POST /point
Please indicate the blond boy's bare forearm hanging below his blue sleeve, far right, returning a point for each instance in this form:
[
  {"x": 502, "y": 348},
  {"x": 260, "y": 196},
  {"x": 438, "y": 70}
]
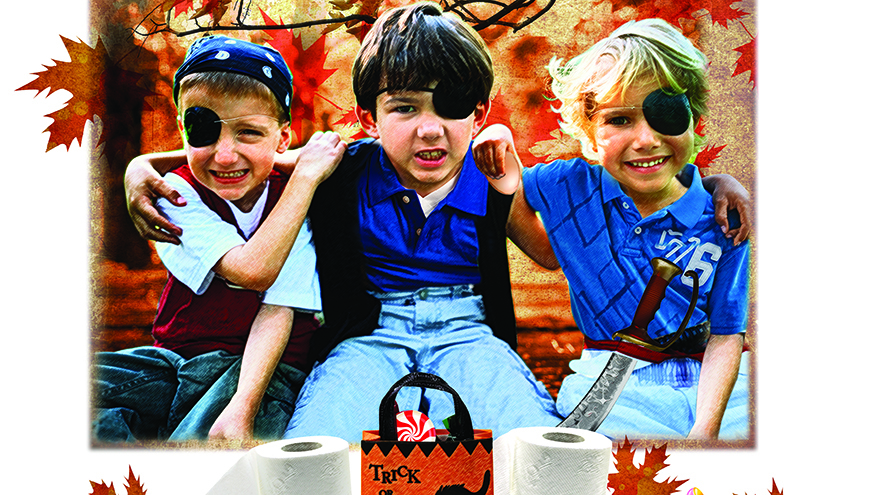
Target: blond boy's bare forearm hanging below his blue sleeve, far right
[{"x": 717, "y": 378}]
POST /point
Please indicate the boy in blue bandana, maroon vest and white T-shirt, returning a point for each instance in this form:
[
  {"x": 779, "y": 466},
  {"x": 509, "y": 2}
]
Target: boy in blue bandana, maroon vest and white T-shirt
[{"x": 237, "y": 313}]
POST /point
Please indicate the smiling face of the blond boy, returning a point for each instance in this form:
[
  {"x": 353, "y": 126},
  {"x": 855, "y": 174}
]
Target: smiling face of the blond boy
[{"x": 641, "y": 159}]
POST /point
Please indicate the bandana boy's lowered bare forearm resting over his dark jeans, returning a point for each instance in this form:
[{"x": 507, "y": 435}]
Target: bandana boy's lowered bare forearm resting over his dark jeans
[{"x": 265, "y": 345}]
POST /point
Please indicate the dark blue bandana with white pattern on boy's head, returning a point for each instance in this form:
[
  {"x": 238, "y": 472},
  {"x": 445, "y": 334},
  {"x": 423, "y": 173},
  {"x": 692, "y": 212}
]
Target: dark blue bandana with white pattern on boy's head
[{"x": 224, "y": 54}]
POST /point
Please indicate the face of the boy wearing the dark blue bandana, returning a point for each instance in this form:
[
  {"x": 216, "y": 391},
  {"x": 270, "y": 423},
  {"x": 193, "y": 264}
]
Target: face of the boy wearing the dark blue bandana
[{"x": 236, "y": 165}]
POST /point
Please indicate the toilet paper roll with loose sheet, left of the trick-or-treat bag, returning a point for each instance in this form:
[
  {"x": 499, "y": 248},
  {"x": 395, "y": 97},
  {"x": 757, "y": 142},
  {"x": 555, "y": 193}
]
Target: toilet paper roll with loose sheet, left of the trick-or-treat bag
[{"x": 302, "y": 466}]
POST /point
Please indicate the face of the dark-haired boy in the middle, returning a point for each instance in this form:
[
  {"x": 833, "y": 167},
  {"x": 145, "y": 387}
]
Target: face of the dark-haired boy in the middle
[{"x": 426, "y": 150}]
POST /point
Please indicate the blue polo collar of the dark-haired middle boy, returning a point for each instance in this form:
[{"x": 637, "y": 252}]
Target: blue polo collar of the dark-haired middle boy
[{"x": 469, "y": 194}]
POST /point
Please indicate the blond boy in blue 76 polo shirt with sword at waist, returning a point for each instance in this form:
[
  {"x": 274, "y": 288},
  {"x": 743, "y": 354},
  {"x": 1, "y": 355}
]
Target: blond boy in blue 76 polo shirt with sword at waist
[{"x": 633, "y": 100}]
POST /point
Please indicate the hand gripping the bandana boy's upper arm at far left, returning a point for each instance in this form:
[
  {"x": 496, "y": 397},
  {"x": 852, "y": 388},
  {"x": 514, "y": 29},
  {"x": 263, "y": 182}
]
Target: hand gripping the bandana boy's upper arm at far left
[{"x": 143, "y": 186}]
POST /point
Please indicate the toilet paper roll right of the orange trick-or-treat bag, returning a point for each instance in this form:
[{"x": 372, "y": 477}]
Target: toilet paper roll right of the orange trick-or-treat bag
[{"x": 543, "y": 460}]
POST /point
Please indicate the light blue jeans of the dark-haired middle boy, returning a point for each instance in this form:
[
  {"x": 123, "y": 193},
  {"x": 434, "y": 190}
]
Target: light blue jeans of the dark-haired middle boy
[{"x": 433, "y": 330}]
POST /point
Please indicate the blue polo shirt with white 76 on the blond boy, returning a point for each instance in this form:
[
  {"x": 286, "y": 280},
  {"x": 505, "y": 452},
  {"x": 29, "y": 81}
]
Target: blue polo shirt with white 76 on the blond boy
[{"x": 604, "y": 247}]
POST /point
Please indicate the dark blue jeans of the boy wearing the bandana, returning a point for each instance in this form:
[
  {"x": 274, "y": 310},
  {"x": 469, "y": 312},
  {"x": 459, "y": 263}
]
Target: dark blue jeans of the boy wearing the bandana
[{"x": 150, "y": 393}]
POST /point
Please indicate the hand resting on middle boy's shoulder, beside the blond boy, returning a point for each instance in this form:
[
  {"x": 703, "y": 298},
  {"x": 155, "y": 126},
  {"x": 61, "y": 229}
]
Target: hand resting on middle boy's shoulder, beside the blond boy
[{"x": 496, "y": 157}]
